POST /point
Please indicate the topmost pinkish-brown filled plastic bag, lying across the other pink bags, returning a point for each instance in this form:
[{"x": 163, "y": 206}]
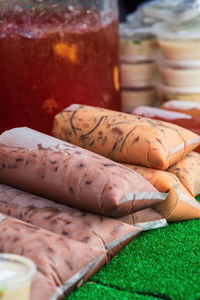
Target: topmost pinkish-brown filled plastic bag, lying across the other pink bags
[{"x": 54, "y": 169}]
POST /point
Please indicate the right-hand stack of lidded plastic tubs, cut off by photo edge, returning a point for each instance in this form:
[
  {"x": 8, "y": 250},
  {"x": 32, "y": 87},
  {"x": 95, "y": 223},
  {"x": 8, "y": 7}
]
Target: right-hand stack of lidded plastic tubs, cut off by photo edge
[{"x": 179, "y": 64}]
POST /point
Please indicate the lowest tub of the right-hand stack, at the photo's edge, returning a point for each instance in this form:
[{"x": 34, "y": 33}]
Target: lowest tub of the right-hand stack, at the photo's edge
[{"x": 166, "y": 93}]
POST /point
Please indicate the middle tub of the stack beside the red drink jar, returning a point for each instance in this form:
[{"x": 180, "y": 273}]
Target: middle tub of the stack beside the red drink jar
[{"x": 137, "y": 74}]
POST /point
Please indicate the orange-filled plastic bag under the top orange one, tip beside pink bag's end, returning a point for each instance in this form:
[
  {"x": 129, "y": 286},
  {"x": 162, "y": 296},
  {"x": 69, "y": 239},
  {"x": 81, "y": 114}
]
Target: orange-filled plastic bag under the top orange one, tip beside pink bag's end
[{"x": 180, "y": 204}]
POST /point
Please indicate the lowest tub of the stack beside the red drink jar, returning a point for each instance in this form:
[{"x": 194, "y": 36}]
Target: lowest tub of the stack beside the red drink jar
[{"x": 131, "y": 98}]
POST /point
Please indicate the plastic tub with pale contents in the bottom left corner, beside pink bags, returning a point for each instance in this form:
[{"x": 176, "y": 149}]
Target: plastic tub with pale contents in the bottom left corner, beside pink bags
[{"x": 16, "y": 275}]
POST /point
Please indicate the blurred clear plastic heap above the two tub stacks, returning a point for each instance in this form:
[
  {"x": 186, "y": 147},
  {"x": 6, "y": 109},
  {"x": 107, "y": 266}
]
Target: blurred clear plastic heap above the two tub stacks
[{"x": 177, "y": 11}]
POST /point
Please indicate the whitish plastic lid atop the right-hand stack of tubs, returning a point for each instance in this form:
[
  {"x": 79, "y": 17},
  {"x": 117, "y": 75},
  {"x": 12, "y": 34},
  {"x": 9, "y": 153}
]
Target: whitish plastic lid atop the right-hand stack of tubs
[{"x": 171, "y": 31}]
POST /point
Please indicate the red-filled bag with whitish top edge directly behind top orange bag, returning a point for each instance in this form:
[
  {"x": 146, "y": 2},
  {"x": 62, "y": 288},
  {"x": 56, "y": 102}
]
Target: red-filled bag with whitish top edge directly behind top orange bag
[{"x": 181, "y": 119}]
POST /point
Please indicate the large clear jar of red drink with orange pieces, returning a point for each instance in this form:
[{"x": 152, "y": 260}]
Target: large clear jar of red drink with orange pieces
[{"x": 53, "y": 54}]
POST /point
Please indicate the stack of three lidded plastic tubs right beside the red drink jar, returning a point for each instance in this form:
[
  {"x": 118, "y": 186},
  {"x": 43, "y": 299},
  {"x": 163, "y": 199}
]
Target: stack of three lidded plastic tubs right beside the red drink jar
[{"x": 137, "y": 67}]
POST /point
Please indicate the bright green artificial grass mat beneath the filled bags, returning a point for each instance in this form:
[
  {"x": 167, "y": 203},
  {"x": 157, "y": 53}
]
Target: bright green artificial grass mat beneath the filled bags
[{"x": 159, "y": 264}]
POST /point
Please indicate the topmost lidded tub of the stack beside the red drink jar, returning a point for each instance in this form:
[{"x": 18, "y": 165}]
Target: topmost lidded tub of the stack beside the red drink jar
[{"x": 136, "y": 44}]
